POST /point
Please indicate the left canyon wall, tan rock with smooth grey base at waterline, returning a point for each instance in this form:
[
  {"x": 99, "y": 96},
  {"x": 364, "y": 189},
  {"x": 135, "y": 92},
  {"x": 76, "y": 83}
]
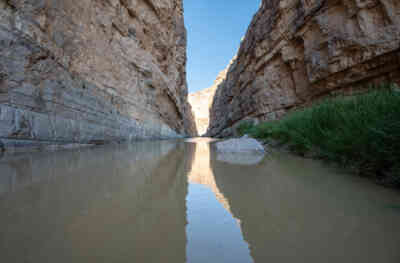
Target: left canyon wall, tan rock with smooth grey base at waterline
[{"x": 93, "y": 70}]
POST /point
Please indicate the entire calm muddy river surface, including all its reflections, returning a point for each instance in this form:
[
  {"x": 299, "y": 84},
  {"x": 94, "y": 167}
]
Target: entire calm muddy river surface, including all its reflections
[{"x": 175, "y": 201}]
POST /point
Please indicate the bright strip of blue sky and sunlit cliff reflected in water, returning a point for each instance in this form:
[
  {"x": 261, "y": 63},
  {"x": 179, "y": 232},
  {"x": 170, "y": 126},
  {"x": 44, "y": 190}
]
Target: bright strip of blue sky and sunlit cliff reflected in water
[{"x": 213, "y": 234}]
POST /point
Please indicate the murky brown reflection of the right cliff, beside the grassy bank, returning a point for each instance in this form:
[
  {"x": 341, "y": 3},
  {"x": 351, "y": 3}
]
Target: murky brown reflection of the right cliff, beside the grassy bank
[{"x": 297, "y": 210}]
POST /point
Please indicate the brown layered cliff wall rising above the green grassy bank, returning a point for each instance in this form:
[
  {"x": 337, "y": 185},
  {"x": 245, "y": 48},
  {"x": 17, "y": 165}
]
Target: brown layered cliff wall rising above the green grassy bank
[{"x": 296, "y": 51}]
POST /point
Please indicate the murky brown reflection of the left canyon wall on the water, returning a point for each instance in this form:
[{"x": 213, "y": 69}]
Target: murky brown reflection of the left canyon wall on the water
[{"x": 115, "y": 204}]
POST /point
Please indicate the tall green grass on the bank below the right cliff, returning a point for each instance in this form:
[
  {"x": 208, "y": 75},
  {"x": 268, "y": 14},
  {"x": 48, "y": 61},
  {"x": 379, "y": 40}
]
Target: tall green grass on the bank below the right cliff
[{"x": 361, "y": 131}]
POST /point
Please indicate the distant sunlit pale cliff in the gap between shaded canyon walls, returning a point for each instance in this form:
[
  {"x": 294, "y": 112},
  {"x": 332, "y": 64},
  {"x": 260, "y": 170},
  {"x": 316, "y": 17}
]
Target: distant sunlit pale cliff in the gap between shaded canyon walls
[{"x": 201, "y": 102}]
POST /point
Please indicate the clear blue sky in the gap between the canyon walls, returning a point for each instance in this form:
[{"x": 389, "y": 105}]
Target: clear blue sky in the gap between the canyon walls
[{"x": 215, "y": 28}]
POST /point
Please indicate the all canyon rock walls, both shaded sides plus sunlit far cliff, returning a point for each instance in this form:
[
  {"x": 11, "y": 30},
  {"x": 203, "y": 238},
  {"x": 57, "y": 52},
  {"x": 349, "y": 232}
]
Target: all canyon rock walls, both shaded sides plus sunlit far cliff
[{"x": 98, "y": 71}]
